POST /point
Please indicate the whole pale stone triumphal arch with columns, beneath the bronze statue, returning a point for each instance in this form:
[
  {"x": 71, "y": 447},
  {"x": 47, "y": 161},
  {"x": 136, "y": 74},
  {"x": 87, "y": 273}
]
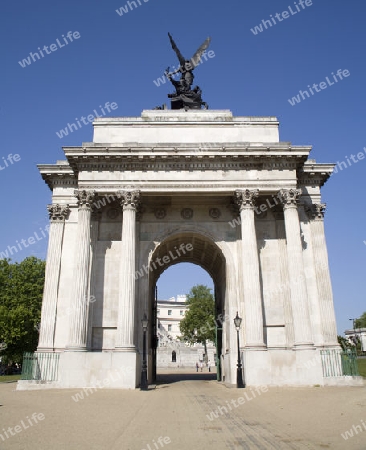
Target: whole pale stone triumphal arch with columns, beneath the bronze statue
[{"x": 198, "y": 186}]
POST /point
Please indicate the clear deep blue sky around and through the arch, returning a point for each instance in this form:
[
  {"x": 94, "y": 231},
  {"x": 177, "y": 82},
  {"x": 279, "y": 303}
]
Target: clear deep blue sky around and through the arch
[{"x": 117, "y": 58}]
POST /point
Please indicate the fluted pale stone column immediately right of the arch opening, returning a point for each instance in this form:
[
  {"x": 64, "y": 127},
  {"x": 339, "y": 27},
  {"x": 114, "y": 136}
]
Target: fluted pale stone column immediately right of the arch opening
[{"x": 250, "y": 271}]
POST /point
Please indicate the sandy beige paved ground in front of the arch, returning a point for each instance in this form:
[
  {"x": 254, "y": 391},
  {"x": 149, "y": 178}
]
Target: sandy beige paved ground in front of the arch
[{"x": 180, "y": 413}]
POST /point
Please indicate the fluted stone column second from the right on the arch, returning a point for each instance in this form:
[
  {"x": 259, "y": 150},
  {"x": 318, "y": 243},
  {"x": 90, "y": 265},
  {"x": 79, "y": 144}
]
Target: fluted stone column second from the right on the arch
[{"x": 299, "y": 297}]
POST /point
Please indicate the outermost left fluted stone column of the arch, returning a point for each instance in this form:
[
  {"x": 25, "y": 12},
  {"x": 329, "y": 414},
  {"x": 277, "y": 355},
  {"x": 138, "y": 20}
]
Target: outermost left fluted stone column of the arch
[{"x": 58, "y": 214}]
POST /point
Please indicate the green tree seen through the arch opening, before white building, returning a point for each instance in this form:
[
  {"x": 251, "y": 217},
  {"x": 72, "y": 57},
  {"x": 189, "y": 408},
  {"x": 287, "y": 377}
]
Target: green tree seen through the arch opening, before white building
[{"x": 198, "y": 324}]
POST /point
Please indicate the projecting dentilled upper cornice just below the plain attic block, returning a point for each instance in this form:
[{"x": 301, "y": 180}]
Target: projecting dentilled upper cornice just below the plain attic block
[{"x": 187, "y": 157}]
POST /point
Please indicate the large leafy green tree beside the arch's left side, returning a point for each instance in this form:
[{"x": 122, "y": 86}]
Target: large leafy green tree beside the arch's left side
[{"x": 21, "y": 290}]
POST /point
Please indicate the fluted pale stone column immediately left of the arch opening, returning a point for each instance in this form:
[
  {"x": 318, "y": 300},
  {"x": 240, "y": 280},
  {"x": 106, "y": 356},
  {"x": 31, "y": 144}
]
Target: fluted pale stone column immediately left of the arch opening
[{"x": 130, "y": 201}]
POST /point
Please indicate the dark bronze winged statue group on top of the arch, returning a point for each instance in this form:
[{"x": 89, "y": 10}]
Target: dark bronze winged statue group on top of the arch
[{"x": 186, "y": 97}]
